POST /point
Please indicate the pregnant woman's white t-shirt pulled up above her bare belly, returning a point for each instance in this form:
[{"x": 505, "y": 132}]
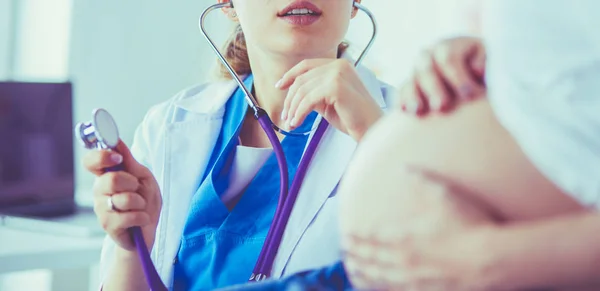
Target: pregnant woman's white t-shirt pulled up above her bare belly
[{"x": 544, "y": 84}]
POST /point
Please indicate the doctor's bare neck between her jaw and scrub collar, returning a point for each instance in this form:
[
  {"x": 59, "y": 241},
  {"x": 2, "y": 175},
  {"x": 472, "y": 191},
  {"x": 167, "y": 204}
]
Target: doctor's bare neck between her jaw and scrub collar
[{"x": 267, "y": 69}]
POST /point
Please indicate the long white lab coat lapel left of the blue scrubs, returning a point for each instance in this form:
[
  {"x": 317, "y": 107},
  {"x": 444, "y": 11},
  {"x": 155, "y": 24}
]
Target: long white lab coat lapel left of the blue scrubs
[{"x": 189, "y": 141}]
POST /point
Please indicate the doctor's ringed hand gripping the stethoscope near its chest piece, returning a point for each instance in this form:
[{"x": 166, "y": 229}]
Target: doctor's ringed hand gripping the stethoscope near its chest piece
[{"x": 126, "y": 198}]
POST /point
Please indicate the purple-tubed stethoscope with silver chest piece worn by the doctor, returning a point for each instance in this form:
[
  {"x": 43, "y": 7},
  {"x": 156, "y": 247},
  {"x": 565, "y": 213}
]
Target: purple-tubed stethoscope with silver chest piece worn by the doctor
[{"x": 101, "y": 132}]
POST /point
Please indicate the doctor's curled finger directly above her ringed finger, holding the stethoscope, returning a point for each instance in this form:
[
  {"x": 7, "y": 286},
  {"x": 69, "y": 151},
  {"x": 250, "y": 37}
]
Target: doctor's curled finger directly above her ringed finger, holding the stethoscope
[{"x": 115, "y": 182}]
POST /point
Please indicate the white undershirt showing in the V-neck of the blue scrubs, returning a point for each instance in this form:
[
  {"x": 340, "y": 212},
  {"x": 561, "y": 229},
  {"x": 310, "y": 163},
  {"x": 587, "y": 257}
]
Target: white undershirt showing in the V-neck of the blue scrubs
[{"x": 246, "y": 164}]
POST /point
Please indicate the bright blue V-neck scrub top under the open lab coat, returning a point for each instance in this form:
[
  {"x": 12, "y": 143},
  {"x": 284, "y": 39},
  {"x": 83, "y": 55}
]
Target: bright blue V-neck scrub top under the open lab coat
[{"x": 220, "y": 247}]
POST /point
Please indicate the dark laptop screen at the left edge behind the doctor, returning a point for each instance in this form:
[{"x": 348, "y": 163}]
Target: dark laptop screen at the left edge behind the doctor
[{"x": 36, "y": 144}]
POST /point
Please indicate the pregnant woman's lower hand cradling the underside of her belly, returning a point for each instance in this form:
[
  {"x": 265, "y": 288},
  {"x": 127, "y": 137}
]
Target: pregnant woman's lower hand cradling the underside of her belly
[{"x": 436, "y": 240}]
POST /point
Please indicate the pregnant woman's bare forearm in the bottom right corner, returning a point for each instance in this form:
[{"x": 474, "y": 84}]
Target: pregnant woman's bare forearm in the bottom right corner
[{"x": 556, "y": 252}]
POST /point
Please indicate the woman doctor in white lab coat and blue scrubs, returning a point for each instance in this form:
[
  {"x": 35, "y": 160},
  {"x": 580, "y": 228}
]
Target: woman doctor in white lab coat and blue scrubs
[{"x": 201, "y": 179}]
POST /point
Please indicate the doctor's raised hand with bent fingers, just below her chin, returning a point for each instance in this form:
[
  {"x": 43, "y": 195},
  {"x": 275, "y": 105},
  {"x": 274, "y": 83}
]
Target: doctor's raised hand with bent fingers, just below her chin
[{"x": 332, "y": 88}]
